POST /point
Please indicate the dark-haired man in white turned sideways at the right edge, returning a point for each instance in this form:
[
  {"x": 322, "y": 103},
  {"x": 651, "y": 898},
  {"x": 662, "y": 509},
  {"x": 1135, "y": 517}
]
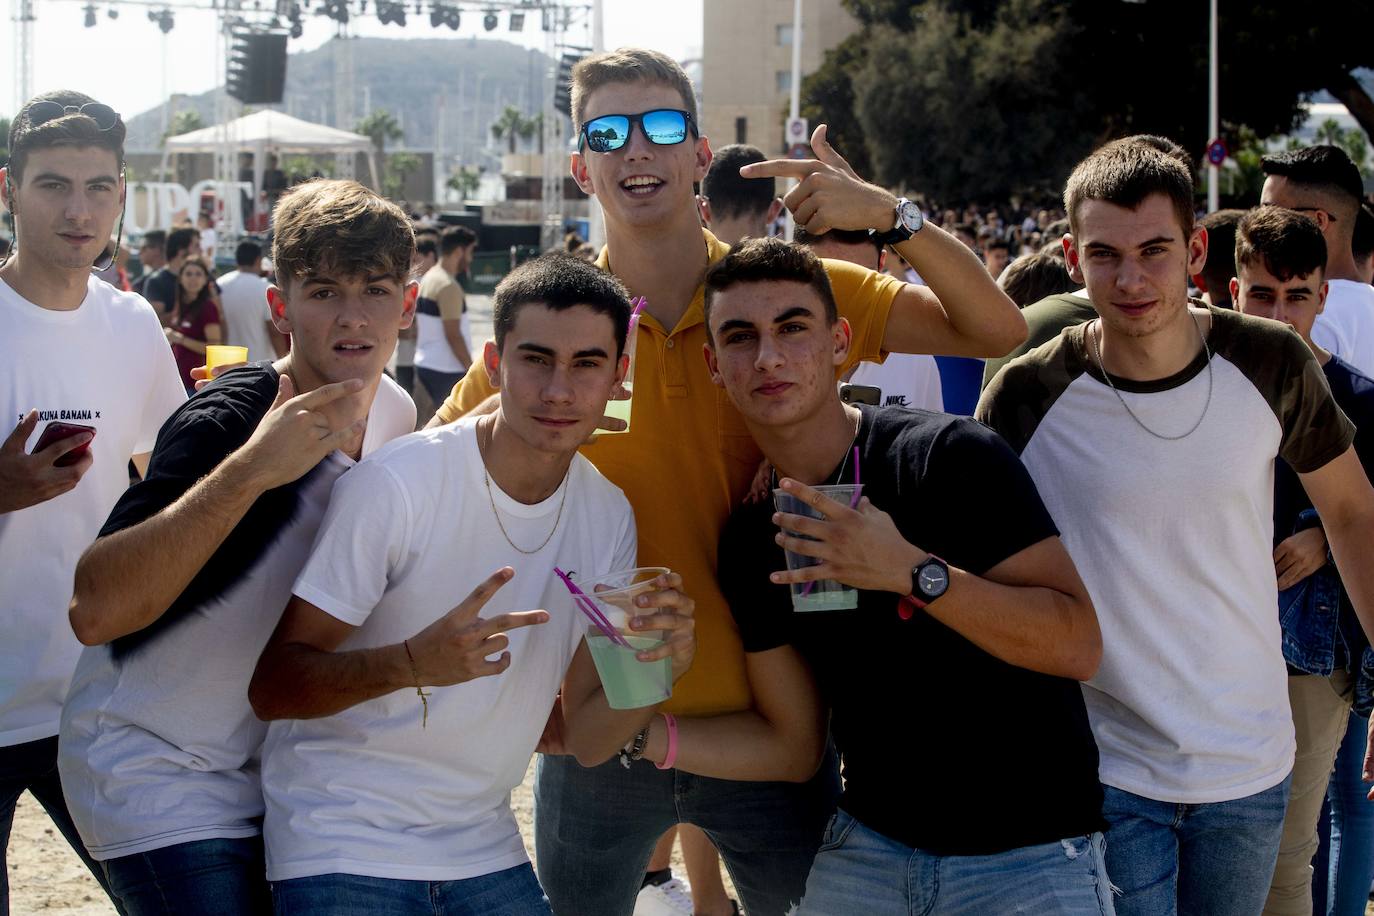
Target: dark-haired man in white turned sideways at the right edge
[{"x": 1324, "y": 183}]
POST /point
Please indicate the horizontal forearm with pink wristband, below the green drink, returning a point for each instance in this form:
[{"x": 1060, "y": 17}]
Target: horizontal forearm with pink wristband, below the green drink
[{"x": 739, "y": 746}]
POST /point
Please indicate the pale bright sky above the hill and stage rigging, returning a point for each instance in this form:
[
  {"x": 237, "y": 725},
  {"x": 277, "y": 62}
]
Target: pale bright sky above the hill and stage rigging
[{"x": 122, "y": 61}]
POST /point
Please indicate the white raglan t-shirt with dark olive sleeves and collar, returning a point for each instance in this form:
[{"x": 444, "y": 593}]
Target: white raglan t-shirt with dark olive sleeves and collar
[{"x": 1174, "y": 540}]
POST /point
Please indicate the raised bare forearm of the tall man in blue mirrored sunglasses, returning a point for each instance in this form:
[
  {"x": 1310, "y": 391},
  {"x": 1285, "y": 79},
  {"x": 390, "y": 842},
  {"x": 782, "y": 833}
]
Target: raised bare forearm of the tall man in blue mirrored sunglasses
[{"x": 982, "y": 317}]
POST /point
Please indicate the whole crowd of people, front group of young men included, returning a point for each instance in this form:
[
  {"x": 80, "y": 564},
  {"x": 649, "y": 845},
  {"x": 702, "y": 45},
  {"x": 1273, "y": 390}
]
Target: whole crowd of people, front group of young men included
[{"x": 1133, "y": 588}]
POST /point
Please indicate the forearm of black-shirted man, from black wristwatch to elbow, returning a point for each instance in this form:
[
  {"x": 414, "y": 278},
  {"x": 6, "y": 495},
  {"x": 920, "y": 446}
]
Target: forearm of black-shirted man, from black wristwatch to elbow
[{"x": 1031, "y": 627}]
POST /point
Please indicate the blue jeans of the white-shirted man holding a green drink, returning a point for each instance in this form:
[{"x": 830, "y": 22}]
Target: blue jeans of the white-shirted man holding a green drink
[{"x": 508, "y": 893}]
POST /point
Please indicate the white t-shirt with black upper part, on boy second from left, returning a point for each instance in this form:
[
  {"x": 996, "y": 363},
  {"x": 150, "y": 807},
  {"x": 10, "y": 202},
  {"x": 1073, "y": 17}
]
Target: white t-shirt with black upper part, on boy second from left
[{"x": 159, "y": 742}]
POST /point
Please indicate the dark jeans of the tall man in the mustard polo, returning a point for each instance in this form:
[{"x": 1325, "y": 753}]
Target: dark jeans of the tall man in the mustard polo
[{"x": 597, "y": 827}]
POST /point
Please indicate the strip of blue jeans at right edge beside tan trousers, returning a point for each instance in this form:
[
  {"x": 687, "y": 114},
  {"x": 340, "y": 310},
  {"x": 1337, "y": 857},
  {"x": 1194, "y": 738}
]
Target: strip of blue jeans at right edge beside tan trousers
[{"x": 1353, "y": 827}]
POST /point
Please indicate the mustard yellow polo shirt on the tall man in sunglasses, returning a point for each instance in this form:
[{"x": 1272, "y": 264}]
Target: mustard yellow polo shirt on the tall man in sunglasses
[{"x": 688, "y": 462}]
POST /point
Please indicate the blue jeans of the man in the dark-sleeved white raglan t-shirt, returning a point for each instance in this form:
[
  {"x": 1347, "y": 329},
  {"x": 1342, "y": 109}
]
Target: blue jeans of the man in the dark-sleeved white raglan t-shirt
[{"x": 1210, "y": 860}]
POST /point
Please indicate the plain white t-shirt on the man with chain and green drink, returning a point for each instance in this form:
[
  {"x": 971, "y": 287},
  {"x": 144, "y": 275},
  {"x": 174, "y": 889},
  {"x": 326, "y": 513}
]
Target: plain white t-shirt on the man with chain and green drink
[{"x": 409, "y": 535}]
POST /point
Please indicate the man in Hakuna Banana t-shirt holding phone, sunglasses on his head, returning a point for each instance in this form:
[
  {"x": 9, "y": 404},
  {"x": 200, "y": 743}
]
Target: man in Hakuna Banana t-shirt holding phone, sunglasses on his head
[{"x": 86, "y": 370}]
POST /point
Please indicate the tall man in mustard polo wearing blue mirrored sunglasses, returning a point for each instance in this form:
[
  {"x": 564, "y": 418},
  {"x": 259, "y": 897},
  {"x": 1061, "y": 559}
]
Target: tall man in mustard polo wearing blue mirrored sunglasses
[{"x": 689, "y": 461}]
